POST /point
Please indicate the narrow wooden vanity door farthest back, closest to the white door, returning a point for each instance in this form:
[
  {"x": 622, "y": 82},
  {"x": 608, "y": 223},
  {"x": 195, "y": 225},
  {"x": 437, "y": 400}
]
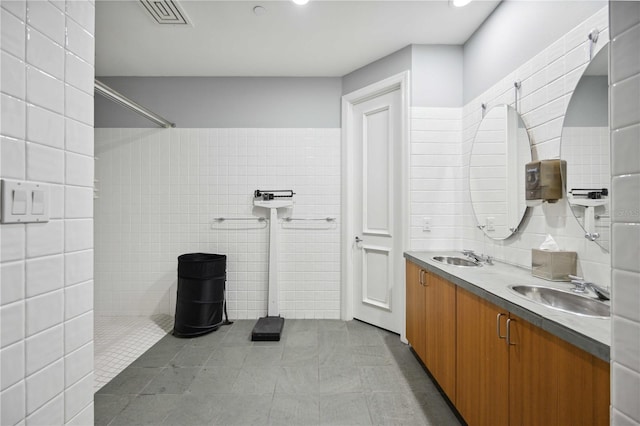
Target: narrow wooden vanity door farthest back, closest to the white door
[{"x": 415, "y": 311}]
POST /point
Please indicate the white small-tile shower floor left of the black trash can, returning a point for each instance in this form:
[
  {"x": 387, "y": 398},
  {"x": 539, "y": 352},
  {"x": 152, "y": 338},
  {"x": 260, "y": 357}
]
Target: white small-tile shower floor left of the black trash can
[{"x": 118, "y": 341}]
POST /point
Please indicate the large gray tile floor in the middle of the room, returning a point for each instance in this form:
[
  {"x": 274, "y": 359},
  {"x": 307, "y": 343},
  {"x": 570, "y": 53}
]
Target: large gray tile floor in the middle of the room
[{"x": 322, "y": 372}]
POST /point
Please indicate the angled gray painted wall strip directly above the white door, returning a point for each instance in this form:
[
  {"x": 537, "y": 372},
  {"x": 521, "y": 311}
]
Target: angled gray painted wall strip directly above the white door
[{"x": 392, "y": 64}]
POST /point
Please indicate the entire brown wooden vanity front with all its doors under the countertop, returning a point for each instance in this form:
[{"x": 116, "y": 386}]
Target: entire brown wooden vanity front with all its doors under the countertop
[{"x": 497, "y": 368}]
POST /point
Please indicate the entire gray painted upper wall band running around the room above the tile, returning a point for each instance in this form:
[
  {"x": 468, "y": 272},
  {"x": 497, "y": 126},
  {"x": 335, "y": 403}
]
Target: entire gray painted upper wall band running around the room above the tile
[{"x": 442, "y": 76}]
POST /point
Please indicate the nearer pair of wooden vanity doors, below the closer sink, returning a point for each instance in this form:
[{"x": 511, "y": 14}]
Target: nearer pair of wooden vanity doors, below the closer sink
[{"x": 533, "y": 378}]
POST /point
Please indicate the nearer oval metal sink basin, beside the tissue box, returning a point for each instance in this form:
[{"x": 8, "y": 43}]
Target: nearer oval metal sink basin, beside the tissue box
[{"x": 563, "y": 300}]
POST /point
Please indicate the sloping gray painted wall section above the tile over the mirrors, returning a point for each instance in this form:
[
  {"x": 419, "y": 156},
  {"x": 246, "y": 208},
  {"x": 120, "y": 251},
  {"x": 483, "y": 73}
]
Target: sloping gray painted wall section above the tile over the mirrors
[{"x": 515, "y": 32}]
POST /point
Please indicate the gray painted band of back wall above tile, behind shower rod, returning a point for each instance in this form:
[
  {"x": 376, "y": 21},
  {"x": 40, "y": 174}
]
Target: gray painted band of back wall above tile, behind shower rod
[{"x": 219, "y": 102}]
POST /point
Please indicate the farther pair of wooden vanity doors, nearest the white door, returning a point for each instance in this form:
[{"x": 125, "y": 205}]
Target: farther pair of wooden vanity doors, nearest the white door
[{"x": 431, "y": 324}]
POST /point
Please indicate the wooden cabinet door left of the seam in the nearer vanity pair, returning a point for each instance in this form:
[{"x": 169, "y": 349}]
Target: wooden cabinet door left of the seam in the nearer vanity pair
[{"x": 482, "y": 379}]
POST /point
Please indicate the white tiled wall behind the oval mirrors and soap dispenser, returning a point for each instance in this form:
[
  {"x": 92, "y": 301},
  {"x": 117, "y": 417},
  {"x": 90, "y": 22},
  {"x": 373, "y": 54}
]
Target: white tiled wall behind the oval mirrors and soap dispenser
[{"x": 548, "y": 81}]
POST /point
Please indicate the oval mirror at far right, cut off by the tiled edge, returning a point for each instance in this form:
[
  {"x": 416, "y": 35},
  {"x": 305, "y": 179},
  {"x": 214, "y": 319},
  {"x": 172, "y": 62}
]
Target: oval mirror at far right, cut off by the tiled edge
[{"x": 585, "y": 148}]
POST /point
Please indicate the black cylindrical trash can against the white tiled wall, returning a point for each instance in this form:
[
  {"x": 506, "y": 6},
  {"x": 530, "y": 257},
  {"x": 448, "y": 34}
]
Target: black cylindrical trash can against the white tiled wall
[{"x": 200, "y": 300}]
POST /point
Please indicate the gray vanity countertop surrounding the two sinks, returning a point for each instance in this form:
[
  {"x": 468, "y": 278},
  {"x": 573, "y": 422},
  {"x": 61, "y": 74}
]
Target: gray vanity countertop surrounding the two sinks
[{"x": 490, "y": 282}]
